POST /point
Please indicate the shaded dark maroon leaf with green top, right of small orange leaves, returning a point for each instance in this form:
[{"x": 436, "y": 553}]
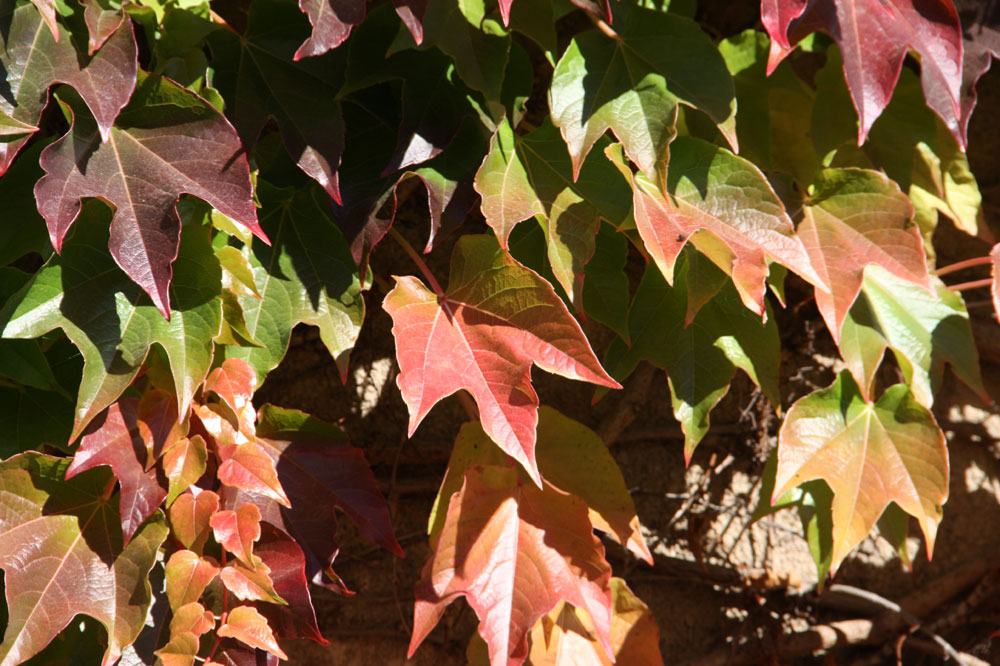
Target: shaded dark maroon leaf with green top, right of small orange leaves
[{"x": 322, "y": 471}]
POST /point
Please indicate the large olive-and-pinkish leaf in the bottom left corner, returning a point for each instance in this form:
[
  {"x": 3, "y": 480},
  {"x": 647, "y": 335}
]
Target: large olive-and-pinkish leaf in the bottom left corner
[{"x": 62, "y": 554}]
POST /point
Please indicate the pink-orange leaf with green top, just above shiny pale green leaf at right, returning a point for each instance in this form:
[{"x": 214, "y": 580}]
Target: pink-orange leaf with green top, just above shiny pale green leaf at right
[{"x": 853, "y": 218}]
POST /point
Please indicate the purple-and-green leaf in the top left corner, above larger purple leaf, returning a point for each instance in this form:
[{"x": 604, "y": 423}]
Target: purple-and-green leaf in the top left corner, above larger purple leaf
[{"x": 34, "y": 57}]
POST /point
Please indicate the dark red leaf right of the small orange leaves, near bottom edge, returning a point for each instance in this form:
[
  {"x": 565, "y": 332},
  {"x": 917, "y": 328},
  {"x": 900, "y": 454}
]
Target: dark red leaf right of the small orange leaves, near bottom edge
[{"x": 288, "y": 572}]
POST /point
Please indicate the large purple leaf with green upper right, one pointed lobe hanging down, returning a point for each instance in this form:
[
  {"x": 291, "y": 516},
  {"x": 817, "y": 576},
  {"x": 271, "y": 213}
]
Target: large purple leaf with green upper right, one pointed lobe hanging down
[{"x": 142, "y": 168}]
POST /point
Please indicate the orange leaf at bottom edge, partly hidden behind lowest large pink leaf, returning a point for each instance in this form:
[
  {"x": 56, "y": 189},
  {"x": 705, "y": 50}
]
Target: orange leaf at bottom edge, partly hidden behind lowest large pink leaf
[{"x": 566, "y": 637}]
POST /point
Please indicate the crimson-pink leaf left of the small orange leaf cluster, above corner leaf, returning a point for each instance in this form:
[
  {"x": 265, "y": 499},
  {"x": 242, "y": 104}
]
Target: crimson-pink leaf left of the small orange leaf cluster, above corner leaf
[{"x": 114, "y": 441}]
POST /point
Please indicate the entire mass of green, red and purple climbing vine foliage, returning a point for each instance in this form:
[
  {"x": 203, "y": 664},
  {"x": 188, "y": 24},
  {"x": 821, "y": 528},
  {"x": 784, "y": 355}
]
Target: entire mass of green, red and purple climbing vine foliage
[{"x": 211, "y": 176}]
